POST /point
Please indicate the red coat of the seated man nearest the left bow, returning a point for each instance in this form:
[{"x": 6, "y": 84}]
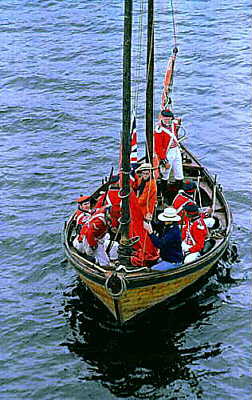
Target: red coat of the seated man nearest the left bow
[{"x": 95, "y": 228}]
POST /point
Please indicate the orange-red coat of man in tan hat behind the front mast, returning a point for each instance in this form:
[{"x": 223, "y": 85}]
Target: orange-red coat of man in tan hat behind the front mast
[{"x": 147, "y": 200}]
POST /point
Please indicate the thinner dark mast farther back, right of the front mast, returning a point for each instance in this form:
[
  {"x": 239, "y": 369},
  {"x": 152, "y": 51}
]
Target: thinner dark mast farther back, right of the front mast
[{"x": 150, "y": 78}]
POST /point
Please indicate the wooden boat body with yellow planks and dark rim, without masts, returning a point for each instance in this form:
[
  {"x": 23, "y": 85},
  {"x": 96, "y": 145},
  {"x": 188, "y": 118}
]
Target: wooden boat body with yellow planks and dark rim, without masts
[{"x": 127, "y": 293}]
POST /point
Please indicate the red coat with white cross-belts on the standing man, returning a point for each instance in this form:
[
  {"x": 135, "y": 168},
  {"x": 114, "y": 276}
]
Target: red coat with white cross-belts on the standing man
[{"x": 163, "y": 137}]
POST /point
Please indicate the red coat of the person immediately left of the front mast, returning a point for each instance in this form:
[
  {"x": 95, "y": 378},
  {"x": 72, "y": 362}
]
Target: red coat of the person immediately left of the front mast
[{"x": 113, "y": 200}]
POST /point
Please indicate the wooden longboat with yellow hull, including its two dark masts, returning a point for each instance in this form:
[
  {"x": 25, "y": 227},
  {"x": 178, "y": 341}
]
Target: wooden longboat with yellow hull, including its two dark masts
[{"x": 128, "y": 291}]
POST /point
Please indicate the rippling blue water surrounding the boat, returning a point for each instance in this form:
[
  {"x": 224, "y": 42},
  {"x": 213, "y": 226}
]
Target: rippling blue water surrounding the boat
[{"x": 60, "y": 110}]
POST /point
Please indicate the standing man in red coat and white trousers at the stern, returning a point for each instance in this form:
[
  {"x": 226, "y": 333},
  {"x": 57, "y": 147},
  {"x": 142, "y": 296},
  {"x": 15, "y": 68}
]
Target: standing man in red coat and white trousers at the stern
[{"x": 167, "y": 148}]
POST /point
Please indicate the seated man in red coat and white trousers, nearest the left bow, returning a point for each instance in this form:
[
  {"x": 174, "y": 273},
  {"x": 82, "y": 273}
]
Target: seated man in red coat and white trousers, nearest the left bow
[{"x": 90, "y": 239}]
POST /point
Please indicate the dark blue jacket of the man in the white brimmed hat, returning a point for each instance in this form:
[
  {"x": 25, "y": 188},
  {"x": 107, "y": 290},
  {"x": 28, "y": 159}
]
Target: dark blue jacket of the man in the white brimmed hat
[{"x": 169, "y": 243}]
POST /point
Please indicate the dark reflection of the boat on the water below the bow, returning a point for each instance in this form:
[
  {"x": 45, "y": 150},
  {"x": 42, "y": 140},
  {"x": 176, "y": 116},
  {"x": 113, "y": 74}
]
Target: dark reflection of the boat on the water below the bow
[{"x": 143, "y": 358}]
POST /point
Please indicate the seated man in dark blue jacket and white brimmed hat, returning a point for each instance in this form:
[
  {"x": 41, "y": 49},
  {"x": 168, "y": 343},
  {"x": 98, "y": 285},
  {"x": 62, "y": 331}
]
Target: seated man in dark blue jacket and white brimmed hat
[{"x": 169, "y": 242}]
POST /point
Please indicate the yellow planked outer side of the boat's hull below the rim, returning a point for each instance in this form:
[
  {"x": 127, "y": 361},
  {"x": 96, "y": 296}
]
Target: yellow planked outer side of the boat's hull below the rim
[{"x": 140, "y": 293}]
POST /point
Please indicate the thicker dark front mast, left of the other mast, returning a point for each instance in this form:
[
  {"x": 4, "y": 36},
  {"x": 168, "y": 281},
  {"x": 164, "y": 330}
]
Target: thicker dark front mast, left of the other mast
[{"x": 125, "y": 139}]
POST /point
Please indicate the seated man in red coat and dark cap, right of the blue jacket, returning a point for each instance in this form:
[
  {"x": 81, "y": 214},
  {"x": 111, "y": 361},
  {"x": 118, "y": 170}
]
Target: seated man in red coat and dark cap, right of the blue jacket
[{"x": 194, "y": 233}]
